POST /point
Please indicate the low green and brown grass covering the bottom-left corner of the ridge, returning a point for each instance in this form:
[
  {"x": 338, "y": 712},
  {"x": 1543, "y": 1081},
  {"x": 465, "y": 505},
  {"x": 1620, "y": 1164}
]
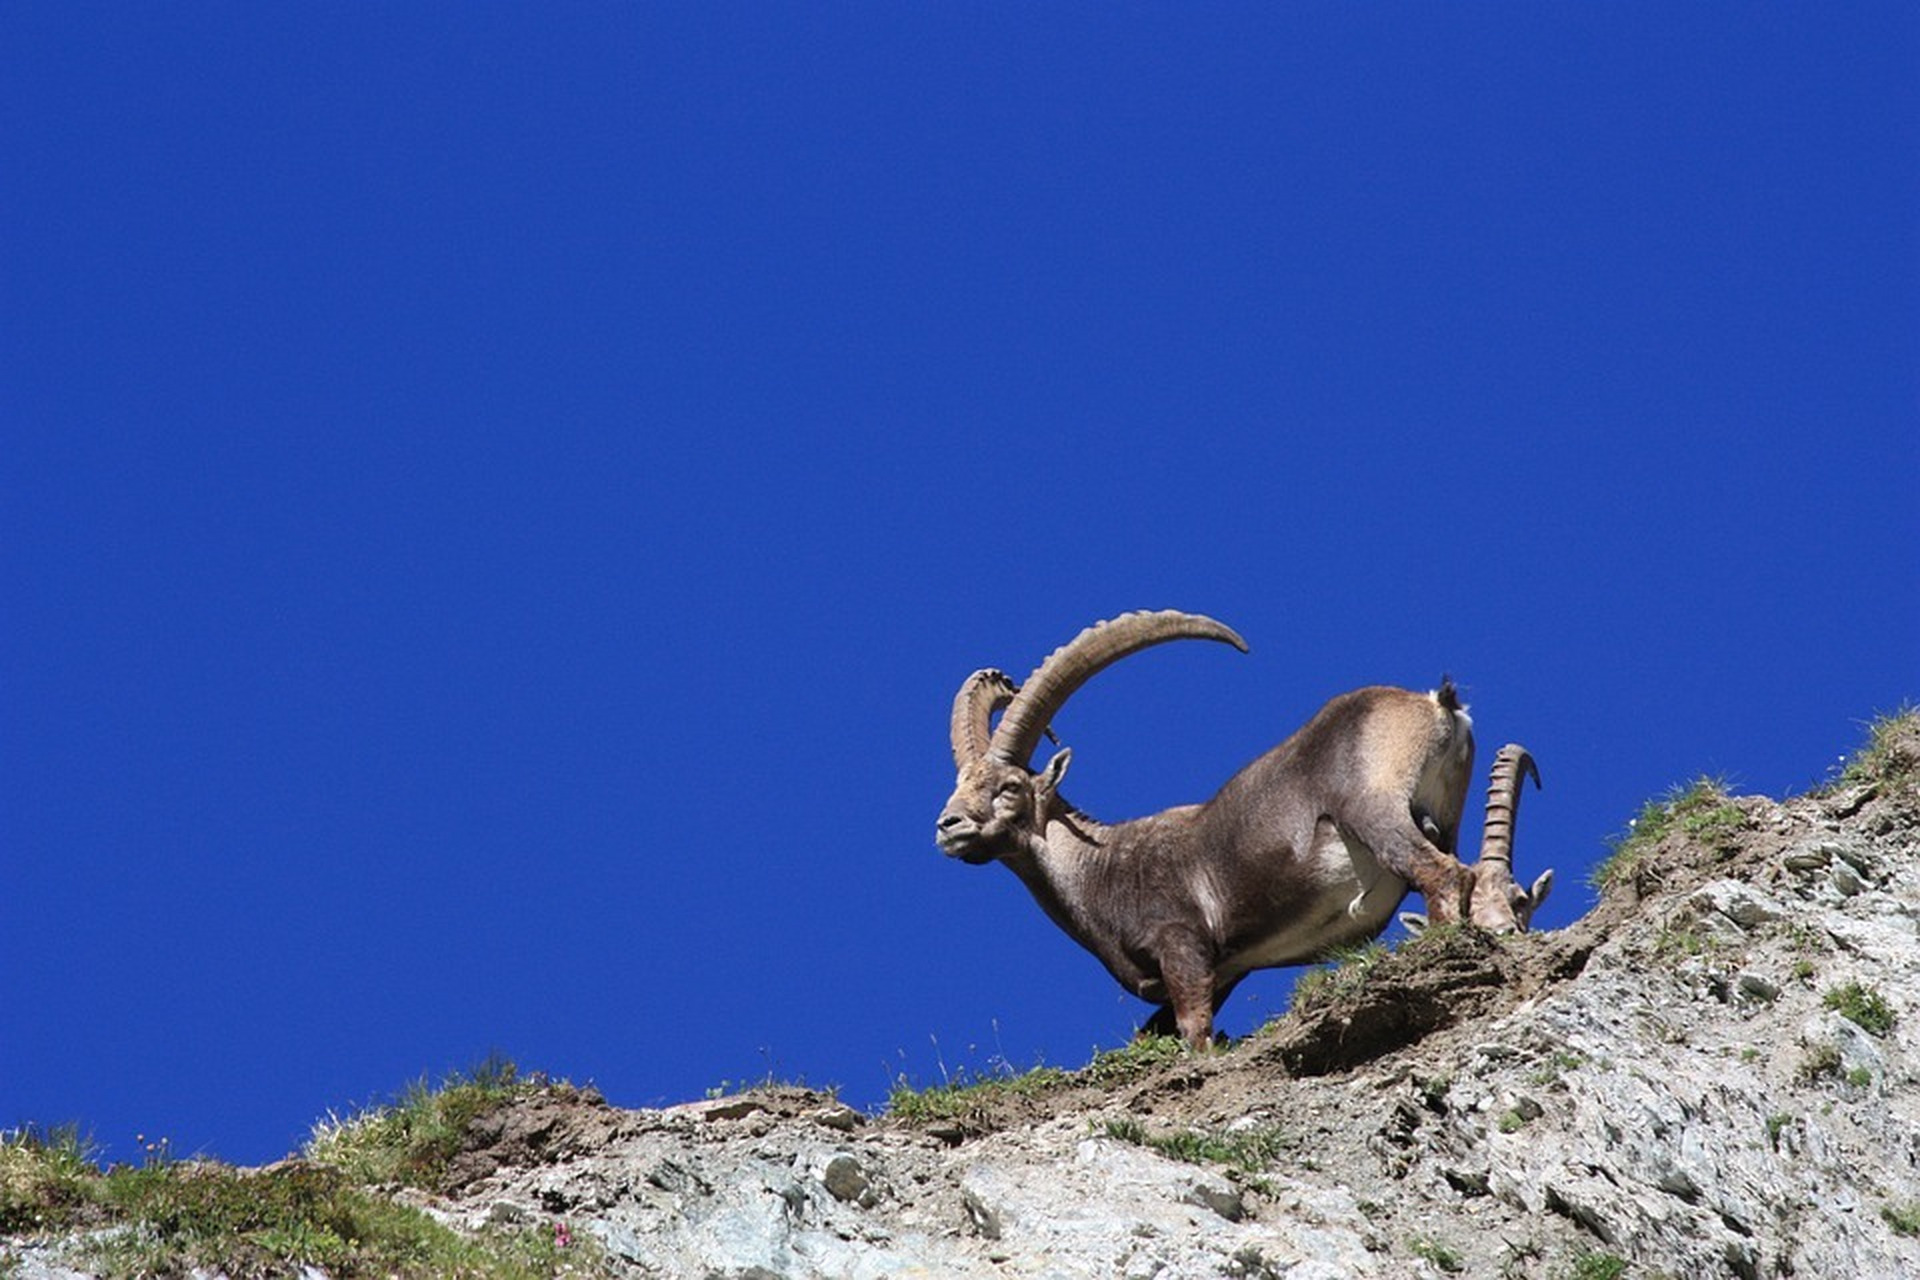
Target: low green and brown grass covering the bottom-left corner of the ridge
[{"x": 176, "y": 1218}]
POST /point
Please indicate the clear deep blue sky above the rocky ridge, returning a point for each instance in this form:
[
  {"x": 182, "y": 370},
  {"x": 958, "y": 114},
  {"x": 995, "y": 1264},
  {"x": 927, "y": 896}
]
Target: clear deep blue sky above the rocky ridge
[{"x": 498, "y": 500}]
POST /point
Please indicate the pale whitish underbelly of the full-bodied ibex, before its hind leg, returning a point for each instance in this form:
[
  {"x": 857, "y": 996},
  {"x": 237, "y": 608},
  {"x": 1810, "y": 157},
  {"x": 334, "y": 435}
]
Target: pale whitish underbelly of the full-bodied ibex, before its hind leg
[{"x": 1351, "y": 899}]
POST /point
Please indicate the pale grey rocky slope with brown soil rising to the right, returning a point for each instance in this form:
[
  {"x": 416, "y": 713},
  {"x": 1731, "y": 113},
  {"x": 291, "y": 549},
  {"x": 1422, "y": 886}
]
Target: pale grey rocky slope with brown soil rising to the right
[{"x": 1710, "y": 1076}]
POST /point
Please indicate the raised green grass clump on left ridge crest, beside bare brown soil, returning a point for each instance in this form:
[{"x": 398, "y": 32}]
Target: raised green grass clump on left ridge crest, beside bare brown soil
[{"x": 414, "y": 1141}]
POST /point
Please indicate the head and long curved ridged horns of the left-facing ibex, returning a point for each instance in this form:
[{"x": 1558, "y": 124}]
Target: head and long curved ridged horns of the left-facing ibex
[{"x": 999, "y": 805}]
